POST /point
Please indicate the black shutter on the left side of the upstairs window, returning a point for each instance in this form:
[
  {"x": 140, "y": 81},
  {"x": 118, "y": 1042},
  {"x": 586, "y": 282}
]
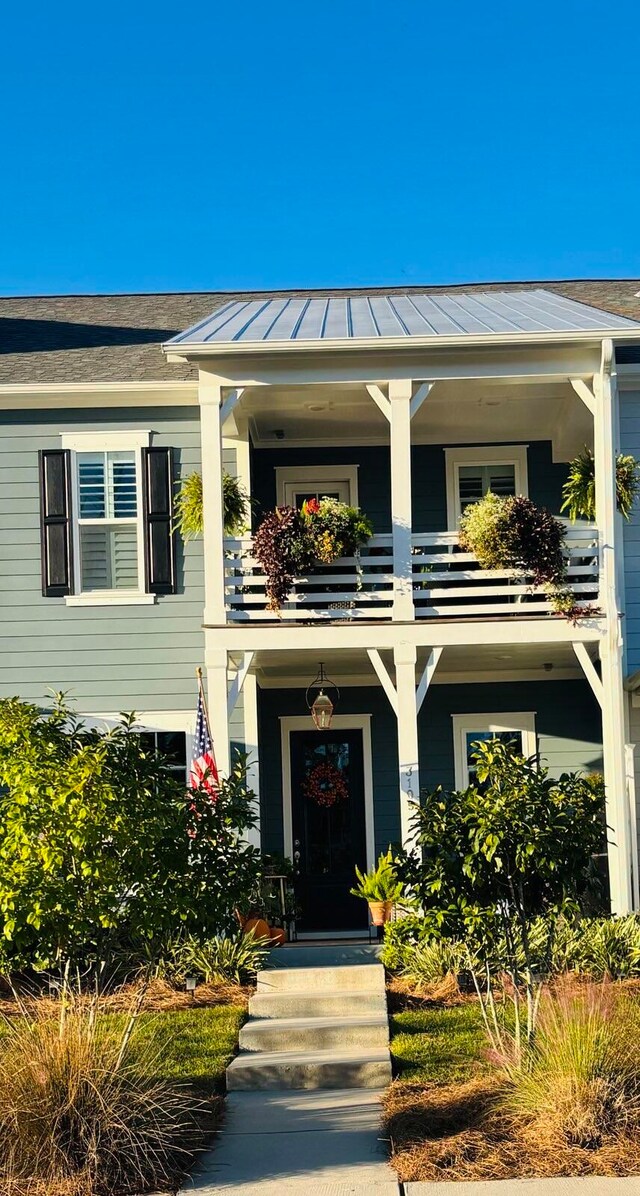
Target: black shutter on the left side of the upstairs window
[{"x": 56, "y": 523}]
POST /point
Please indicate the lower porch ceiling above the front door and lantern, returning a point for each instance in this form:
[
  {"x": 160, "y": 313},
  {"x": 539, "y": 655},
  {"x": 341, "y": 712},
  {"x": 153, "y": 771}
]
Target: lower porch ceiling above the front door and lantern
[{"x": 461, "y": 664}]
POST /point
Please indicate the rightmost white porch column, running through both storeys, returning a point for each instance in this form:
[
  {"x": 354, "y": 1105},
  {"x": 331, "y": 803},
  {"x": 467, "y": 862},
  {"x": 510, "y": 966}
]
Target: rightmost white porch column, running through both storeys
[{"x": 614, "y": 706}]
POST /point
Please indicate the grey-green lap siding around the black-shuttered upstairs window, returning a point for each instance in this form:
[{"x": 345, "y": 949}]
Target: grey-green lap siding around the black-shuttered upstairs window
[{"x": 107, "y": 658}]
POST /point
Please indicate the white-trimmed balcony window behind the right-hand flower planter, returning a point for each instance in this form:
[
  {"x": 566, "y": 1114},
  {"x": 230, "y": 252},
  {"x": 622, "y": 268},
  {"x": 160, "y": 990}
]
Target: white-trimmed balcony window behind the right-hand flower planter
[{"x": 473, "y": 473}]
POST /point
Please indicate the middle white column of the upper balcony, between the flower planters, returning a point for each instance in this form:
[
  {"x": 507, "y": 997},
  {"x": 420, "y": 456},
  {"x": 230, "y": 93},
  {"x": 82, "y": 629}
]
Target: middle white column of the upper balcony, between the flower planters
[{"x": 400, "y": 400}]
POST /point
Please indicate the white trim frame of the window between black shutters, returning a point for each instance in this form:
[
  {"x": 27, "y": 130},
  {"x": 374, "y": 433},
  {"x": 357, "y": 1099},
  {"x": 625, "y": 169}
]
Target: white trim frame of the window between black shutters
[{"x": 108, "y": 442}]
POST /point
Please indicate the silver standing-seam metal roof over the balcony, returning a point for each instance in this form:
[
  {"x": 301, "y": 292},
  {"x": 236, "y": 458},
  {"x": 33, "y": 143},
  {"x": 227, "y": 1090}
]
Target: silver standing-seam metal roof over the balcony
[{"x": 397, "y": 316}]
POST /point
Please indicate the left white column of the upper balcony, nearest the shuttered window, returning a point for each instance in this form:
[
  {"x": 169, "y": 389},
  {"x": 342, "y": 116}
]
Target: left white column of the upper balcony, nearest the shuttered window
[{"x": 212, "y": 498}]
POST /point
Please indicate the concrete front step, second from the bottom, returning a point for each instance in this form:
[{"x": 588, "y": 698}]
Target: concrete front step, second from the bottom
[{"x": 315, "y": 1034}]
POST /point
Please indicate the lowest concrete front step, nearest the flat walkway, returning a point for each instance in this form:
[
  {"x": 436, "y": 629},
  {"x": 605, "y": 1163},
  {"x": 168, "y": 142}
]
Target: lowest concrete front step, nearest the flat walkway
[{"x": 342, "y": 1069}]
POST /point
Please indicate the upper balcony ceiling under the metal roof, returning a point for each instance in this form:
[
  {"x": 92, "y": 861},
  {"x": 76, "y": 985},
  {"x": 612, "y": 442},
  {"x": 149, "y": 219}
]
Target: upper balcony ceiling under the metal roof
[{"x": 456, "y": 412}]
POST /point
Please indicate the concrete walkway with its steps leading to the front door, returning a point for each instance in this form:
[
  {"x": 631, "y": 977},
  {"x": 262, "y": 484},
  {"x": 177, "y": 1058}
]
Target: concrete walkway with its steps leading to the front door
[{"x": 303, "y": 1112}]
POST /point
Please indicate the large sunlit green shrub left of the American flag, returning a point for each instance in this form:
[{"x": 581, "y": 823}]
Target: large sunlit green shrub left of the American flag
[{"x": 101, "y": 843}]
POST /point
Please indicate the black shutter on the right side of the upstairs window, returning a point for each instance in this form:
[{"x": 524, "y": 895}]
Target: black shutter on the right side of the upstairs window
[{"x": 159, "y": 516}]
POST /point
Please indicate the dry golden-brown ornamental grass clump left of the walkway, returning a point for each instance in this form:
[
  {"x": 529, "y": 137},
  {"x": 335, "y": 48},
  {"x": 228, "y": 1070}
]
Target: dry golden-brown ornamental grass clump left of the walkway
[{"x": 84, "y": 1109}]
